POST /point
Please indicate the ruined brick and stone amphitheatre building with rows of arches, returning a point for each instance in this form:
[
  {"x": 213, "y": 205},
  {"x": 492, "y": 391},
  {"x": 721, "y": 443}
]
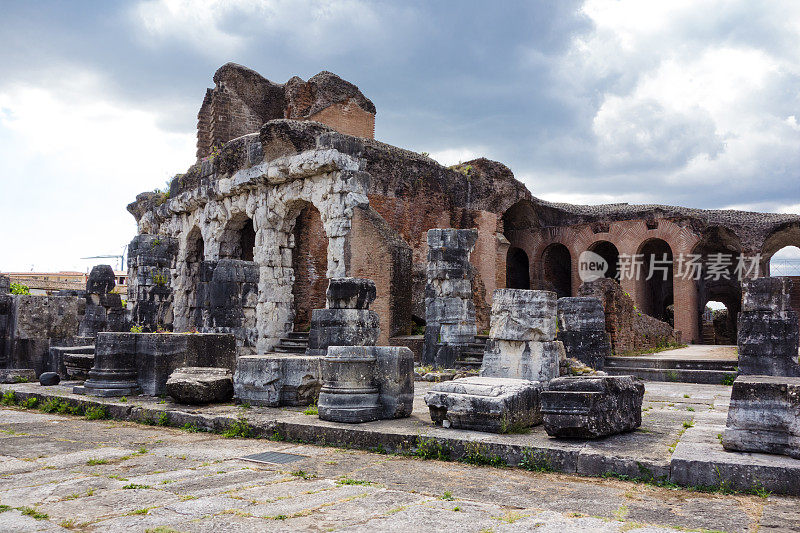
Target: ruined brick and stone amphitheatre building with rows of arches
[{"x": 296, "y": 166}]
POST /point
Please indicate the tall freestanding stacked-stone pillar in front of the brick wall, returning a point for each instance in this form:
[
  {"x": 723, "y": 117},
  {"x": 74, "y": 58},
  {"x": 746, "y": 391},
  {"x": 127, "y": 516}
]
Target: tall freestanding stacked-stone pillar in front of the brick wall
[{"x": 449, "y": 309}]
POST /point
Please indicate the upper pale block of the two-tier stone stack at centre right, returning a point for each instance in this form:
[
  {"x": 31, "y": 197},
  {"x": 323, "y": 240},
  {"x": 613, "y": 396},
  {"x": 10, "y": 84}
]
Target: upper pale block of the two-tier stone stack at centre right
[{"x": 523, "y": 315}]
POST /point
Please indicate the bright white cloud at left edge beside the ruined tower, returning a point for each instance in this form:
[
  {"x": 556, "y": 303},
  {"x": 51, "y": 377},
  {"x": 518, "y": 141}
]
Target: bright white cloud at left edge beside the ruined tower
[{"x": 73, "y": 158}]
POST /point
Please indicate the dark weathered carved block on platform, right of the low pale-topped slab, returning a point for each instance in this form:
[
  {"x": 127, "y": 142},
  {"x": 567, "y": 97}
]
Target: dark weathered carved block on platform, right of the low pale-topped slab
[{"x": 589, "y": 407}]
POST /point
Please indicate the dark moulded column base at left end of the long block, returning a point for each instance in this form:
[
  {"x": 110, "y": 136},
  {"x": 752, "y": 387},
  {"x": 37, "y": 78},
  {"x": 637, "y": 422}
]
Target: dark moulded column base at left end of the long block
[{"x": 114, "y": 371}]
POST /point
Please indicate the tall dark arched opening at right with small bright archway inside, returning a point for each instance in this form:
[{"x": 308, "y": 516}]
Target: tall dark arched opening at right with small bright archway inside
[{"x": 717, "y": 253}]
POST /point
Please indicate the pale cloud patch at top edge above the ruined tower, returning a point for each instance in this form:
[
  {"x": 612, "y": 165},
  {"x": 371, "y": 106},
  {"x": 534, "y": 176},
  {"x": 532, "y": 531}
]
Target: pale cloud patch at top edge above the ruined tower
[{"x": 225, "y": 27}]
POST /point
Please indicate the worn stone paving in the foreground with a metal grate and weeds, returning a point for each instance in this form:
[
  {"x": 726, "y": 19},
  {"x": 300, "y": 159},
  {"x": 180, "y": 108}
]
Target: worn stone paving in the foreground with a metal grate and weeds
[{"x": 119, "y": 476}]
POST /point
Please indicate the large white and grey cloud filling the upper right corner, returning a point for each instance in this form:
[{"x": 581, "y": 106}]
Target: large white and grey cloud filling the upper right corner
[{"x": 684, "y": 90}]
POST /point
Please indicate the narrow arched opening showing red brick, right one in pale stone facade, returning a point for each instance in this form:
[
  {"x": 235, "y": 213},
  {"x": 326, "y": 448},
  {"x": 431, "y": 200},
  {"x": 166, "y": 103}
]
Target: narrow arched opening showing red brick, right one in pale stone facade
[{"x": 310, "y": 265}]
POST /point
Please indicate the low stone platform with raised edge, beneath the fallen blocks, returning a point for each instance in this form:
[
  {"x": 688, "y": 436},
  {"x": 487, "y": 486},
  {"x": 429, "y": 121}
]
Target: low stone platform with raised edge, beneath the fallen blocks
[{"x": 679, "y": 439}]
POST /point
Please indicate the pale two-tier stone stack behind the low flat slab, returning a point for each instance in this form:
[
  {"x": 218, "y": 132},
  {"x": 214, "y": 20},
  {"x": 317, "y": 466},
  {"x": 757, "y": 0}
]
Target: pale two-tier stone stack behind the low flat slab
[{"x": 522, "y": 341}]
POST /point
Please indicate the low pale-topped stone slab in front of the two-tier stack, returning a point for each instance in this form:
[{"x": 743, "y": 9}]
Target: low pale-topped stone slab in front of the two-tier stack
[{"x": 494, "y": 405}]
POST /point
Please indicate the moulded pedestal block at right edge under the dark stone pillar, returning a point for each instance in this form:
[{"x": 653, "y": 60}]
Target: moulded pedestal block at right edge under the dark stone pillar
[{"x": 764, "y": 416}]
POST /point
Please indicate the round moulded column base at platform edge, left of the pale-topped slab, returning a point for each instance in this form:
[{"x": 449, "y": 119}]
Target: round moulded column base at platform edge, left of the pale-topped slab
[{"x": 349, "y": 392}]
